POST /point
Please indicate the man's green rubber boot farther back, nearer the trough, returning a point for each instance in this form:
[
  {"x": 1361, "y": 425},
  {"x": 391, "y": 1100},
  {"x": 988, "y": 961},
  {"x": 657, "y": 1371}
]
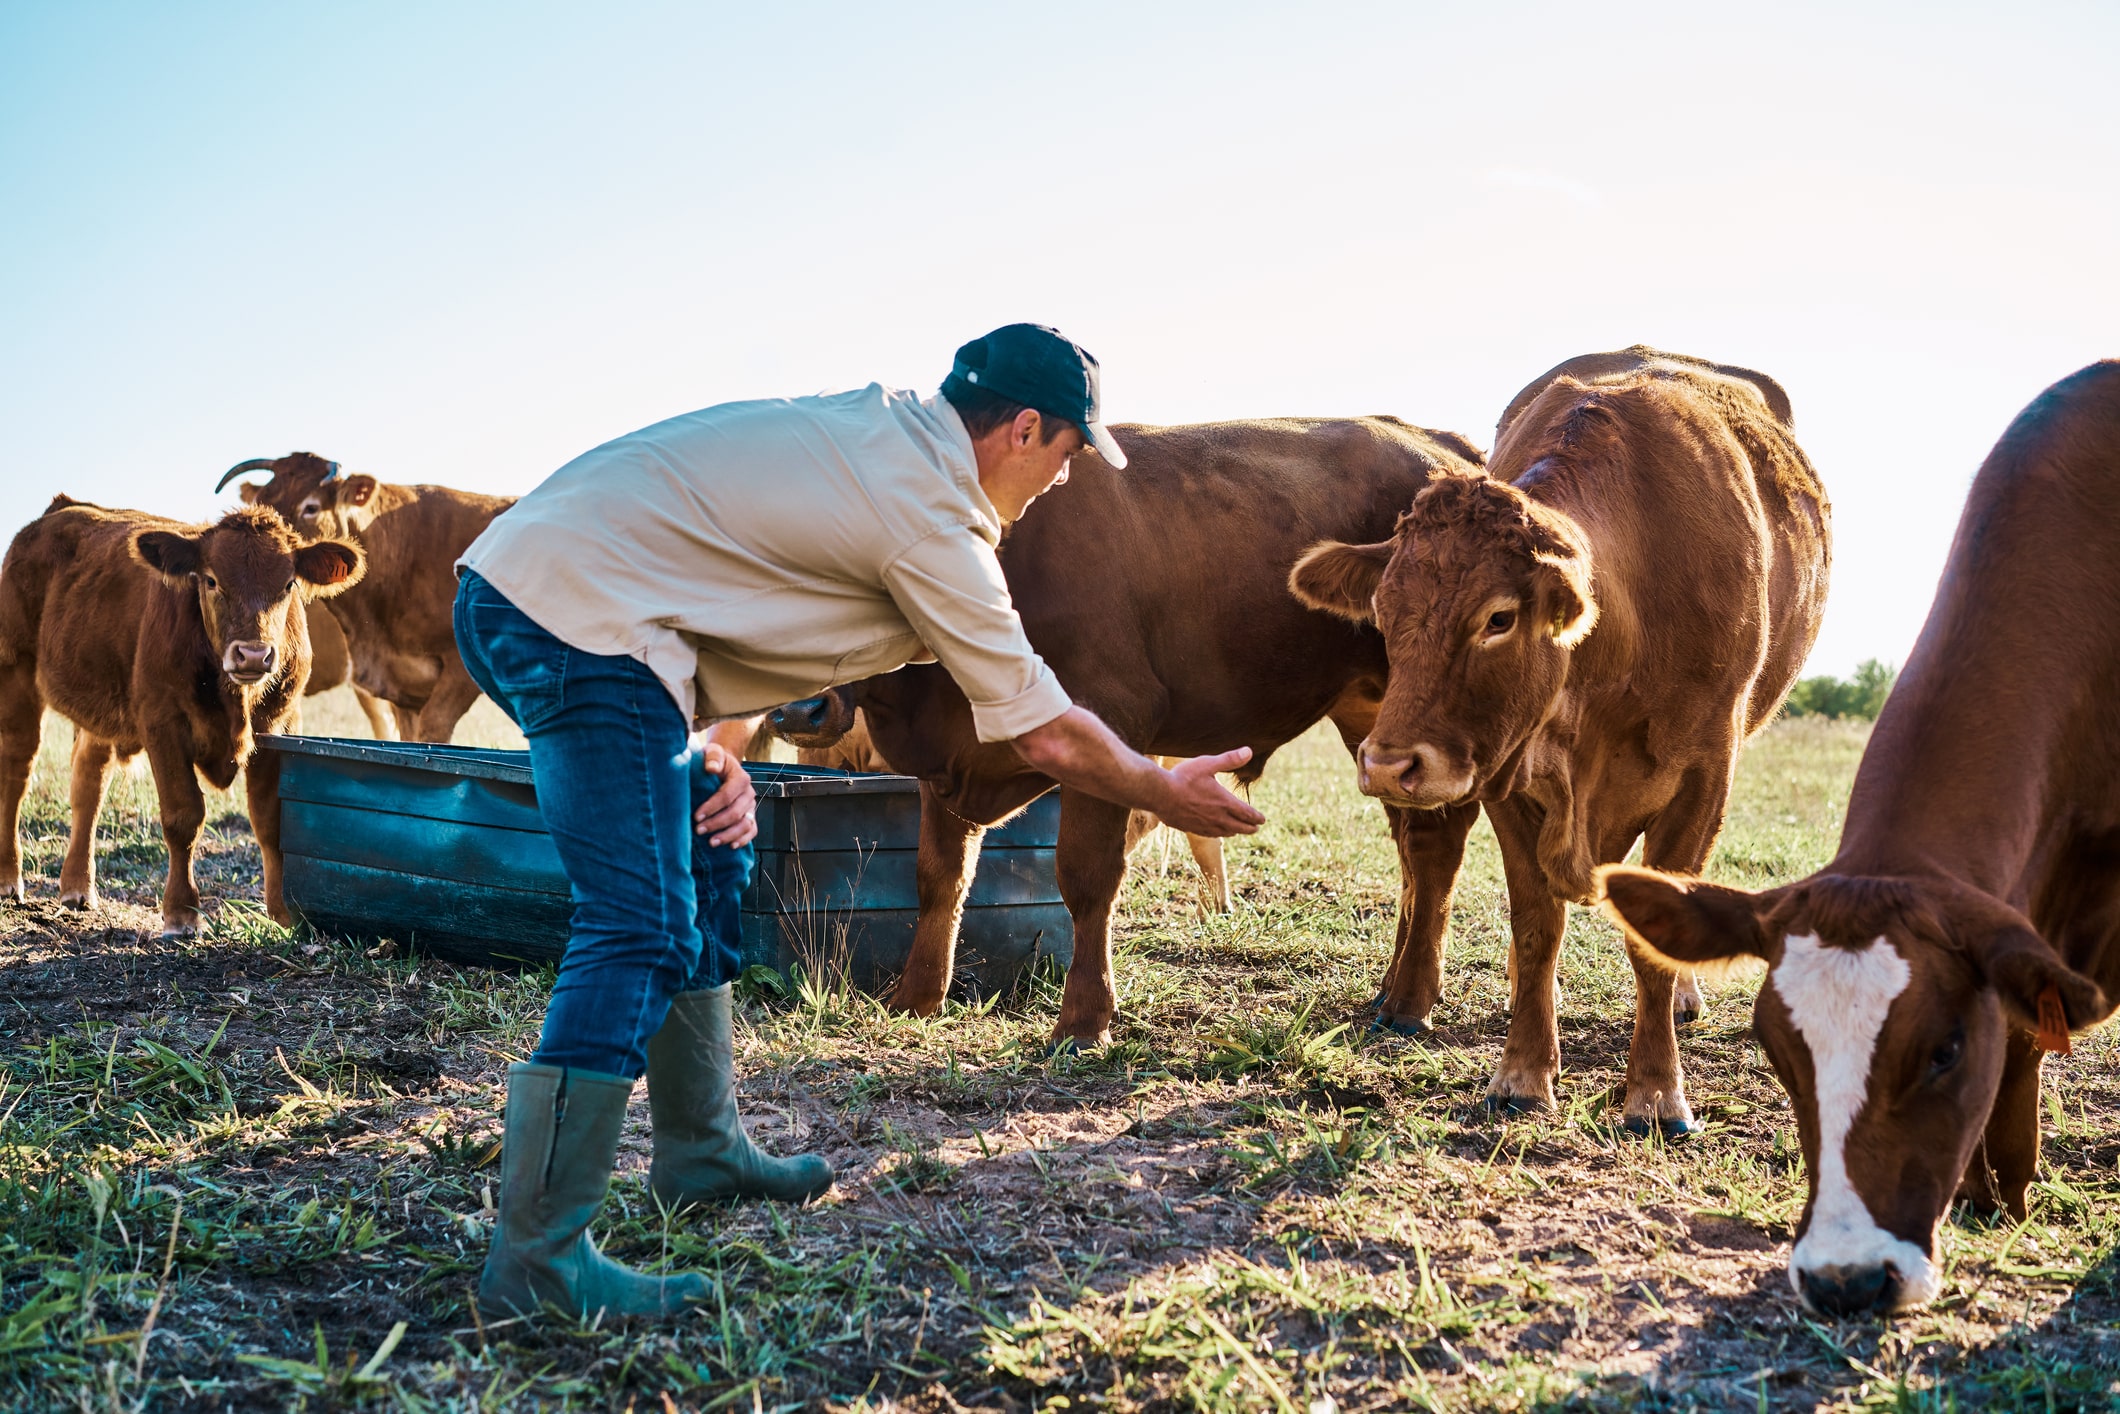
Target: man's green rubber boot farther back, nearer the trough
[{"x": 701, "y": 1148}]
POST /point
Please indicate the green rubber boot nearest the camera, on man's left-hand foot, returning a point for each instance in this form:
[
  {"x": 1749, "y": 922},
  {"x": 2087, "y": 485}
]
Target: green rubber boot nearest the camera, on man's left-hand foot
[{"x": 563, "y": 1137}]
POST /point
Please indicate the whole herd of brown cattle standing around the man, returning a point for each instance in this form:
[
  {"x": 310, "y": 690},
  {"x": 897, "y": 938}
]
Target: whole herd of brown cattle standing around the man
[{"x": 1574, "y": 635}]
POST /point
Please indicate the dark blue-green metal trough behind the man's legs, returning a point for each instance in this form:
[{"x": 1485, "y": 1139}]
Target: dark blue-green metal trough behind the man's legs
[{"x": 444, "y": 849}]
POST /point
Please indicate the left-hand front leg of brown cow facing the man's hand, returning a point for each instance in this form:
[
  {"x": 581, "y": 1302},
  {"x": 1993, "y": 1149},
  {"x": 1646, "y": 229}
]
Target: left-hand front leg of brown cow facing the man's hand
[{"x": 1532, "y": 1055}]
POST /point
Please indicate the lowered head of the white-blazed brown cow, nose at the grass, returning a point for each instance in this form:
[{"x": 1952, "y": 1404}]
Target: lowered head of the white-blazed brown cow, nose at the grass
[{"x": 1892, "y": 1012}]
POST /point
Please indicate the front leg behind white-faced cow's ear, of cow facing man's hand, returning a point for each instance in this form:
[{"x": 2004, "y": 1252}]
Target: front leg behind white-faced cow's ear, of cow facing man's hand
[{"x": 1678, "y": 841}]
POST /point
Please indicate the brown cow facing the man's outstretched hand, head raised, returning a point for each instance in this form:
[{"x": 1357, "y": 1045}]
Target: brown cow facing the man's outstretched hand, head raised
[{"x": 1583, "y": 639}]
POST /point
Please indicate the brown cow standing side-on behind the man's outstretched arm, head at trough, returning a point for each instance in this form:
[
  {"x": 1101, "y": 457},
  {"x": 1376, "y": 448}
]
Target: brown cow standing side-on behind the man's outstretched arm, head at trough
[{"x": 1156, "y": 597}]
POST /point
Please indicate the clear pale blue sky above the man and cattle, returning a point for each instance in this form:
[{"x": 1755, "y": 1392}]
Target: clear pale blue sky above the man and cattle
[{"x": 463, "y": 243}]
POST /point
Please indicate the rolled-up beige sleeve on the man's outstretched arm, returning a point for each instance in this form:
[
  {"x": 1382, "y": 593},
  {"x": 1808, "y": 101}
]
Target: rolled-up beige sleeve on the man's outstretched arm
[{"x": 953, "y": 593}]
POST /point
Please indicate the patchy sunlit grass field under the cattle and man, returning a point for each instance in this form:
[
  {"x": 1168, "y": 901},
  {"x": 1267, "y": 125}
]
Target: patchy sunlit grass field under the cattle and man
[{"x": 258, "y": 1171}]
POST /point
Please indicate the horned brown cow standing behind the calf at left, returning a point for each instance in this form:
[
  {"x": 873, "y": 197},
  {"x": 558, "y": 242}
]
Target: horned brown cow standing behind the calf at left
[{"x": 400, "y": 618}]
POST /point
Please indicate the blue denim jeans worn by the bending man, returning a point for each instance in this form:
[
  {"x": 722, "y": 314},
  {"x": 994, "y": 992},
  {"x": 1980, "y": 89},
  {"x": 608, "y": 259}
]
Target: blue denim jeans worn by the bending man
[{"x": 656, "y": 908}]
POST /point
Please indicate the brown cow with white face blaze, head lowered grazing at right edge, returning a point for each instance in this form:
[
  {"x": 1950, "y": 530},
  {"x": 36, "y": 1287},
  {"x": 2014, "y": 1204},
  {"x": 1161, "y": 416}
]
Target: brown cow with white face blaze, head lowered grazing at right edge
[{"x": 1971, "y": 917}]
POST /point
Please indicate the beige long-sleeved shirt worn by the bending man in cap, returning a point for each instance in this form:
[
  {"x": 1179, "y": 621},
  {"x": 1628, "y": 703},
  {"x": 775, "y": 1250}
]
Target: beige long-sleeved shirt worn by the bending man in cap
[{"x": 756, "y": 554}]
